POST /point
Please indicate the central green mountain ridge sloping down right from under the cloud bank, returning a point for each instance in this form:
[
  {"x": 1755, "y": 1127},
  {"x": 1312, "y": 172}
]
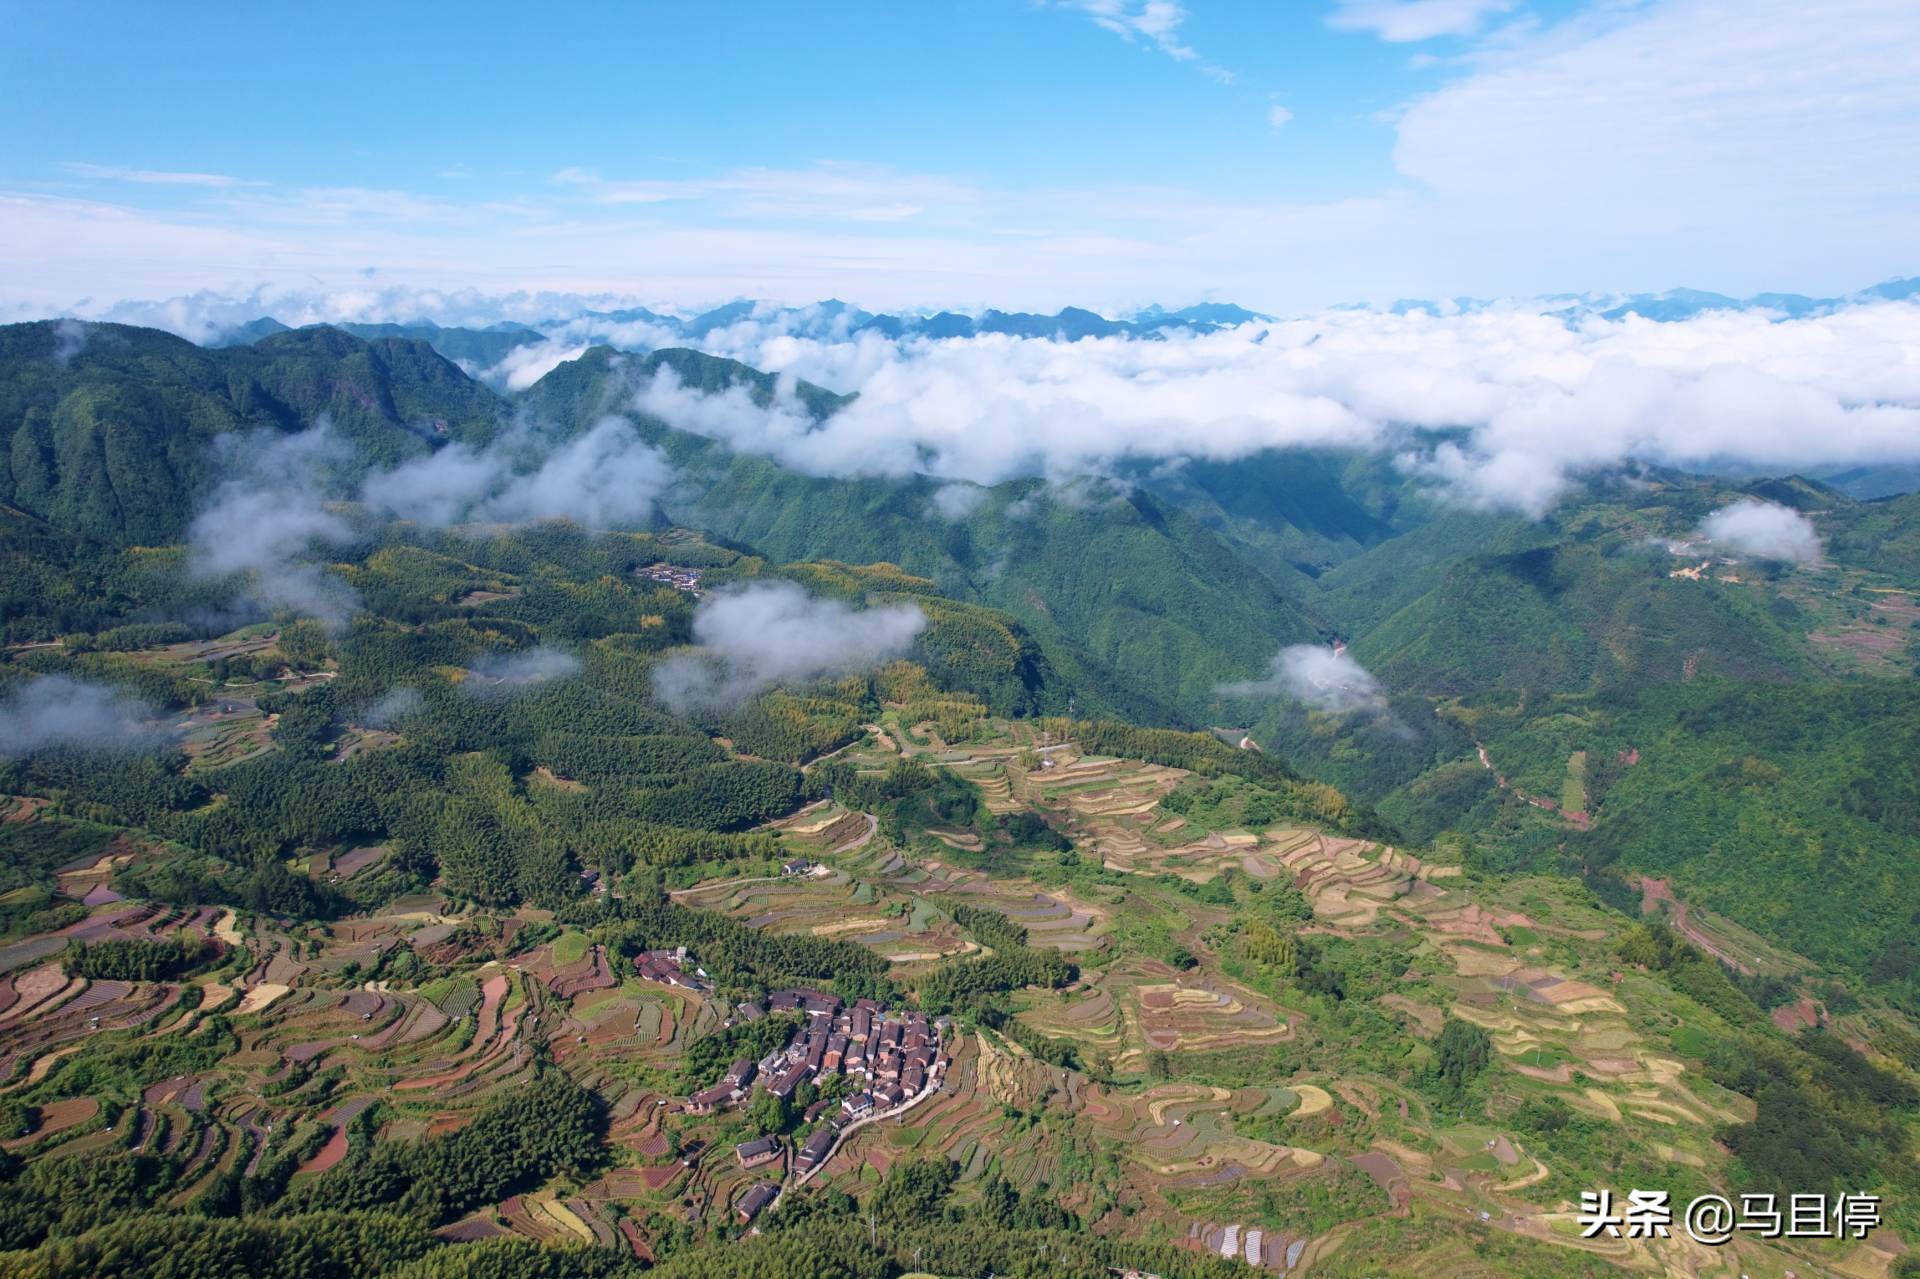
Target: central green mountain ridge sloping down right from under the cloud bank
[{"x": 1143, "y": 606}]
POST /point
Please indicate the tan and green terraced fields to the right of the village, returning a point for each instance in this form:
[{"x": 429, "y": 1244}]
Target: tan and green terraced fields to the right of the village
[{"x": 1562, "y": 1023}]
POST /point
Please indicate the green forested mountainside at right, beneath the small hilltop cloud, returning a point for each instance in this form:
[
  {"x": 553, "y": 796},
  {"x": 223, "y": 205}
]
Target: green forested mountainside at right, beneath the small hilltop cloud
[{"x": 1579, "y": 696}]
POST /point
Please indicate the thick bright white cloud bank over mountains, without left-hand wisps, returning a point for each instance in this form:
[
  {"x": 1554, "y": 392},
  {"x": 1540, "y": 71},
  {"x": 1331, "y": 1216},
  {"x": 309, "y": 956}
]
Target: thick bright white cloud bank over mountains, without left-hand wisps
[{"x": 1500, "y": 406}]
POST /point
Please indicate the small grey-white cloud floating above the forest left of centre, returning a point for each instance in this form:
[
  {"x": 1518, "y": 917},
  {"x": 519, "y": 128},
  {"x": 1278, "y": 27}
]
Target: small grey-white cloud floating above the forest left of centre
[{"x": 775, "y": 633}]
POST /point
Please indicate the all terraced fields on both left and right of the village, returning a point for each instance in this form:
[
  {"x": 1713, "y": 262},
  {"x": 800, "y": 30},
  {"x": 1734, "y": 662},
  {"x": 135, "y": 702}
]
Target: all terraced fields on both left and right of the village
[{"x": 1203, "y": 1098}]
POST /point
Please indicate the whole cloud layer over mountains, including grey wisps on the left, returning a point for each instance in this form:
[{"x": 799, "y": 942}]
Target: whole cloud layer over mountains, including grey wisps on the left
[{"x": 1499, "y": 404}]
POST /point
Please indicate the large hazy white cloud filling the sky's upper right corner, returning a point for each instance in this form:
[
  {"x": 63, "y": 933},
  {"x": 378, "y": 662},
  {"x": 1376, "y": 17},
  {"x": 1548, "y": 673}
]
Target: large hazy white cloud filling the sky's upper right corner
[{"x": 1696, "y": 139}]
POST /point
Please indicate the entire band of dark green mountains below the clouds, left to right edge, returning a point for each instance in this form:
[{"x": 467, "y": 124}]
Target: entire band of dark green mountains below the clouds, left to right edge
[{"x": 1159, "y": 589}]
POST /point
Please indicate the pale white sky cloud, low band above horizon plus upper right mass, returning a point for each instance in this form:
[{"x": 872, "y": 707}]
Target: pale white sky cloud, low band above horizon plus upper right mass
[{"x": 1733, "y": 147}]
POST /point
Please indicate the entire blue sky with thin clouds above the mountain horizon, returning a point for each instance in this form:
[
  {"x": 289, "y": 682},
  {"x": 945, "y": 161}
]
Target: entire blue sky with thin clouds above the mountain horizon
[{"x": 999, "y": 153}]
